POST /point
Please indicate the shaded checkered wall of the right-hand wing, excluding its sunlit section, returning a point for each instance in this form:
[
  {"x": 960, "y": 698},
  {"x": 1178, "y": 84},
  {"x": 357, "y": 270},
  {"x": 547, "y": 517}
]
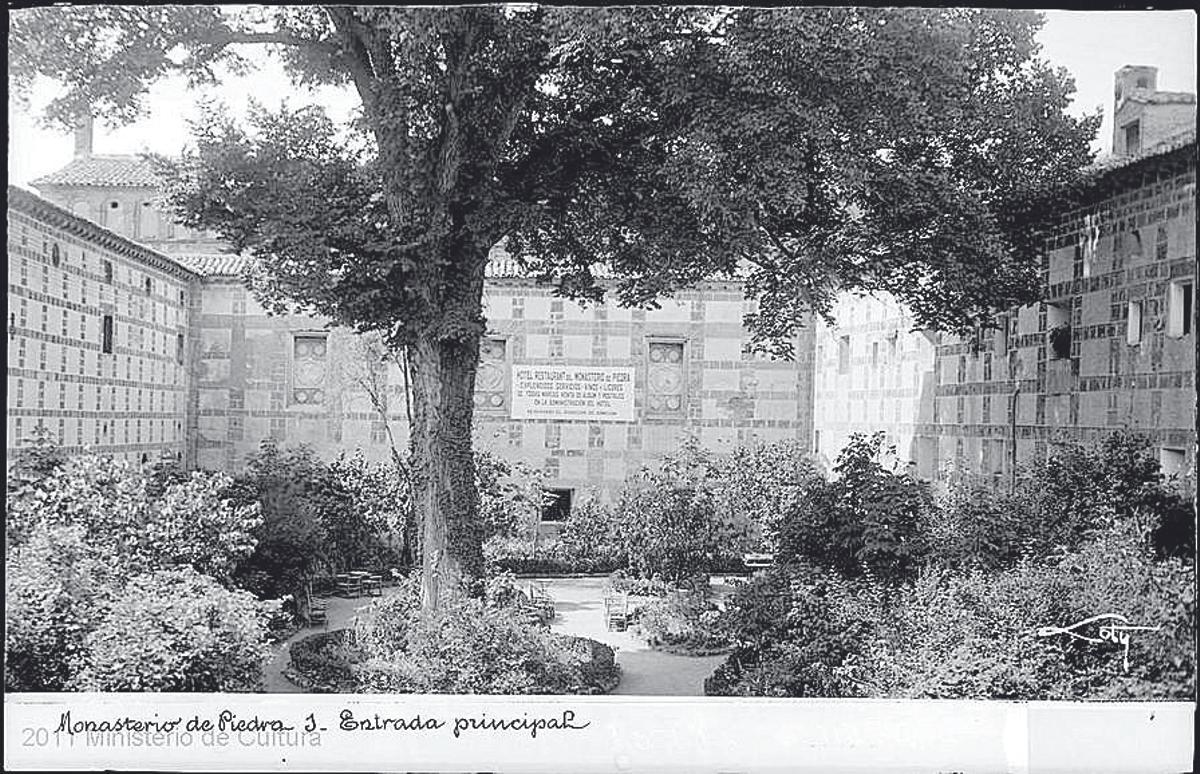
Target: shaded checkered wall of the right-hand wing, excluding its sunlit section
[{"x": 1126, "y": 255}]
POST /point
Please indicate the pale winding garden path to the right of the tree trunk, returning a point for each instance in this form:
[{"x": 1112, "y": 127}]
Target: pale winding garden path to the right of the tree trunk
[{"x": 579, "y": 605}]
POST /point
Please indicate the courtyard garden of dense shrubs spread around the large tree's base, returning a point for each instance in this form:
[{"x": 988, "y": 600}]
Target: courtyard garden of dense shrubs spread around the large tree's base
[{"x": 158, "y": 580}]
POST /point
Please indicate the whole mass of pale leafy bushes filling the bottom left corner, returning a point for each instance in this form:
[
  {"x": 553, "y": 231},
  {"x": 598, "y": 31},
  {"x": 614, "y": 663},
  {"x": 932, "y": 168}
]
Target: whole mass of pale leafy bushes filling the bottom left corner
[{"x": 106, "y": 585}]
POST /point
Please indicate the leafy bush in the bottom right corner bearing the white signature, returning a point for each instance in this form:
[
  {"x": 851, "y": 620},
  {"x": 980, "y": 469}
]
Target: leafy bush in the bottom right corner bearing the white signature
[{"x": 971, "y": 637}]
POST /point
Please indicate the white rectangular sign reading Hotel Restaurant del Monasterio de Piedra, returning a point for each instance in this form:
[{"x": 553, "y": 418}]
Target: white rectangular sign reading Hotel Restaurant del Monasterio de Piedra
[{"x": 599, "y": 395}]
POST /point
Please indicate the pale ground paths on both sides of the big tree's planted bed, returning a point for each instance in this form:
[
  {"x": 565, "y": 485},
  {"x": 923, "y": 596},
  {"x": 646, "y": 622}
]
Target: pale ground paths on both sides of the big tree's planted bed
[{"x": 579, "y": 605}]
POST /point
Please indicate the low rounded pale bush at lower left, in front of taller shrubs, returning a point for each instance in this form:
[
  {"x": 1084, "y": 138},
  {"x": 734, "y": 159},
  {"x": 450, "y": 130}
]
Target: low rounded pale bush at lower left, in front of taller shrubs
[{"x": 177, "y": 631}]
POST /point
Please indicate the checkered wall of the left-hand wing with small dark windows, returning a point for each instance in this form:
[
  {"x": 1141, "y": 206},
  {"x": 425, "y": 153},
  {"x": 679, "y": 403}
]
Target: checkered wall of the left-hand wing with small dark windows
[{"x": 65, "y": 278}]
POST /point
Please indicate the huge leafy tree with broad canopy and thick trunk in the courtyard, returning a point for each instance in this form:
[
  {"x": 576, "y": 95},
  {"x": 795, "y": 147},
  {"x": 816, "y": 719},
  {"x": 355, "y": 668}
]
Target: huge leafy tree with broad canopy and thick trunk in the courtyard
[{"x": 813, "y": 151}]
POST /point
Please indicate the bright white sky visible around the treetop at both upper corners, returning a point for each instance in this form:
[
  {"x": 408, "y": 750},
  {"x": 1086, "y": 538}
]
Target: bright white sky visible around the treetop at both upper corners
[{"x": 1091, "y": 45}]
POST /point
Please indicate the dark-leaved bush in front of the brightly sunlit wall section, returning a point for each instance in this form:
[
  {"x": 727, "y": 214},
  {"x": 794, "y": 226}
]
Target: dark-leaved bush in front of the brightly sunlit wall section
[{"x": 867, "y": 520}]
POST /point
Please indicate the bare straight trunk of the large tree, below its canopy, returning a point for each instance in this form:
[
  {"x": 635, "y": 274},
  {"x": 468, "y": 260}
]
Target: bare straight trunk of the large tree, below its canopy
[{"x": 446, "y": 500}]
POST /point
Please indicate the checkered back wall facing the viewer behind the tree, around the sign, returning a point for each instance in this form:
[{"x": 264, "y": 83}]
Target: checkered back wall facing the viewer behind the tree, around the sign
[{"x": 292, "y": 380}]
